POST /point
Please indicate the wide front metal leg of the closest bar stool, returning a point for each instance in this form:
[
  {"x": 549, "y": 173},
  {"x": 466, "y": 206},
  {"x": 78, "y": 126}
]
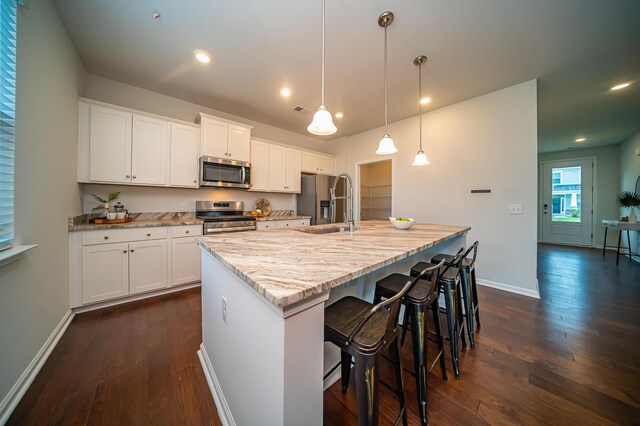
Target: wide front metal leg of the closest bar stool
[{"x": 367, "y": 389}]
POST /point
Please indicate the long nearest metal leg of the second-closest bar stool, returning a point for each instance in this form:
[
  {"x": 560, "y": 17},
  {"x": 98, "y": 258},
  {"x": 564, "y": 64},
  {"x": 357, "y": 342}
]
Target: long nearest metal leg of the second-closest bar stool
[{"x": 419, "y": 357}]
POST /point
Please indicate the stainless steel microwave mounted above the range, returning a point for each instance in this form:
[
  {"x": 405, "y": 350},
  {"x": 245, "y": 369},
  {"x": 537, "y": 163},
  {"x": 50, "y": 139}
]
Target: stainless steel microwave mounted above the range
[{"x": 224, "y": 173}]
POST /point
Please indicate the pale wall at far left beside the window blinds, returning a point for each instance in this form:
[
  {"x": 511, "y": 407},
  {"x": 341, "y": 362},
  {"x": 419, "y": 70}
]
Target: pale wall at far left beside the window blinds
[{"x": 34, "y": 292}]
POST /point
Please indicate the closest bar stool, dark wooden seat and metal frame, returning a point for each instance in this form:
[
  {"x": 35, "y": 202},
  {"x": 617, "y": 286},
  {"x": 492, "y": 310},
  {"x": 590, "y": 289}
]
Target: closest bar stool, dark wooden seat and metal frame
[{"x": 363, "y": 330}]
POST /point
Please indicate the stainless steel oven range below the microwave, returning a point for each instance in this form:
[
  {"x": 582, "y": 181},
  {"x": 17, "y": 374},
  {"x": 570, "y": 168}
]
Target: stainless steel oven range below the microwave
[{"x": 224, "y": 216}]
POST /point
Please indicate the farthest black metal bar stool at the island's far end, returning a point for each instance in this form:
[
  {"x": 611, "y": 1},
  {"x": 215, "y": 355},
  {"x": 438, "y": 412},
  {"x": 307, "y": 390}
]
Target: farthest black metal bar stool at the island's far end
[{"x": 468, "y": 284}]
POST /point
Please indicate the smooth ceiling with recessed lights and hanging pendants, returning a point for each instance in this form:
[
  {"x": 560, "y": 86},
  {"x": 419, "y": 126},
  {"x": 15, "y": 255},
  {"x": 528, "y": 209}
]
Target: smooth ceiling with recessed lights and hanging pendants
[{"x": 576, "y": 48}]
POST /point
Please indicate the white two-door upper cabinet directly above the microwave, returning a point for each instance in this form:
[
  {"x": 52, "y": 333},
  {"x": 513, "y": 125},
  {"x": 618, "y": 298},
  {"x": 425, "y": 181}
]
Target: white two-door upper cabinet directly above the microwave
[{"x": 224, "y": 139}]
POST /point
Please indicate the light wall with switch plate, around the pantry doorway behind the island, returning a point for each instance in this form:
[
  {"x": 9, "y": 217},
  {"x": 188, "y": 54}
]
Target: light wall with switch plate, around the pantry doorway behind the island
[{"x": 489, "y": 142}]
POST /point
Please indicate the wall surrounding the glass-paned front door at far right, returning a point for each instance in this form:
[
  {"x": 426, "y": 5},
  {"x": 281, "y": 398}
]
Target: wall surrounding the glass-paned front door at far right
[{"x": 606, "y": 182}]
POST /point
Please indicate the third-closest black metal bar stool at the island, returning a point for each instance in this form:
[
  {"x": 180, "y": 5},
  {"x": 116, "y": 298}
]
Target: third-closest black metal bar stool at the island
[{"x": 449, "y": 285}]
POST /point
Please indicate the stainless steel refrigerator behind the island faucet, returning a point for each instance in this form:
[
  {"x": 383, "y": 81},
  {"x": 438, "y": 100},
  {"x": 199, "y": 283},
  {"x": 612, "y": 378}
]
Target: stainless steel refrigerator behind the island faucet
[{"x": 314, "y": 199}]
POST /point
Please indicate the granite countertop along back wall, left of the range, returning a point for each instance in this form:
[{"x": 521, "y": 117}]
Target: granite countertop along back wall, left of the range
[{"x": 140, "y": 220}]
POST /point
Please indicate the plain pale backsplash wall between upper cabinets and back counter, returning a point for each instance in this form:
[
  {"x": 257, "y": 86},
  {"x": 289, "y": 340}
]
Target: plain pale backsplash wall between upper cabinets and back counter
[{"x": 139, "y": 199}]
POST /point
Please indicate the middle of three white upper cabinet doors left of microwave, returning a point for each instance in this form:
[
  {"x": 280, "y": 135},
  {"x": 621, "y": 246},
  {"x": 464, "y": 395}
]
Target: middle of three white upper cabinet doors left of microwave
[{"x": 149, "y": 151}]
